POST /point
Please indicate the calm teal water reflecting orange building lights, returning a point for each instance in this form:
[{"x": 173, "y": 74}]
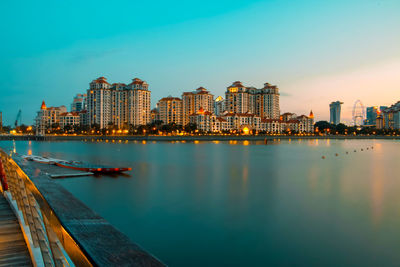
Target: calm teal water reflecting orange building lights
[{"x": 245, "y": 204}]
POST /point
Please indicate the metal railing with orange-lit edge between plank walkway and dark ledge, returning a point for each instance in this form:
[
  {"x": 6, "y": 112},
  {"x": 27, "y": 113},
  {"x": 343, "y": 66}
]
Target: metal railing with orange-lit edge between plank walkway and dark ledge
[{"x": 48, "y": 242}]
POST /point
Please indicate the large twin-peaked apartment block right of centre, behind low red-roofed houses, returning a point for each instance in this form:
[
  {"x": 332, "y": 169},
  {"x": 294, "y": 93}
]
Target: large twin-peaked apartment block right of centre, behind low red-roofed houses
[{"x": 262, "y": 102}]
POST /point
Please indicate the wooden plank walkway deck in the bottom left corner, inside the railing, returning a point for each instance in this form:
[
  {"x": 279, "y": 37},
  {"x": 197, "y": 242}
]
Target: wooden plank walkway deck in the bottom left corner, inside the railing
[{"x": 13, "y": 249}]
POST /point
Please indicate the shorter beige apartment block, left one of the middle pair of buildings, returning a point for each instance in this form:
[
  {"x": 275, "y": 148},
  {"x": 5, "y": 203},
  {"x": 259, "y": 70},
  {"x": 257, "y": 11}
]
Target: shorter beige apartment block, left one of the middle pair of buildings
[{"x": 170, "y": 110}]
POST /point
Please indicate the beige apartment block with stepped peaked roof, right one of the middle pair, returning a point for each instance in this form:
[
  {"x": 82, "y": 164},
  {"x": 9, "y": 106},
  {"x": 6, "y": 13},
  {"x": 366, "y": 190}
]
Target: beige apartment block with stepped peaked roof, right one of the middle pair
[{"x": 193, "y": 101}]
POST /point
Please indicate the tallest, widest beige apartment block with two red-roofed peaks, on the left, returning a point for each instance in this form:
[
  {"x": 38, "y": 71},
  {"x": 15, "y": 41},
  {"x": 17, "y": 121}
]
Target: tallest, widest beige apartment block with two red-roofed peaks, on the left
[{"x": 118, "y": 104}]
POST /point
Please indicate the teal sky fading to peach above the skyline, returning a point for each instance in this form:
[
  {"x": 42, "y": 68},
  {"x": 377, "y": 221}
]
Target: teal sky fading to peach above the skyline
[{"x": 316, "y": 52}]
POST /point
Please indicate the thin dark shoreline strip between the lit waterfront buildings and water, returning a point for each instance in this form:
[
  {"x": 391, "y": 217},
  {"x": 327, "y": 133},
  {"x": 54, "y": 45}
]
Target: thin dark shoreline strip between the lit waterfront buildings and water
[{"x": 188, "y": 137}]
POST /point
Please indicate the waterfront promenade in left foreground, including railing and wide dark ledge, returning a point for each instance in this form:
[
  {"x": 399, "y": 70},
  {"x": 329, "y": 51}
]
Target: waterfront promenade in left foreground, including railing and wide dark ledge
[{"x": 59, "y": 229}]
